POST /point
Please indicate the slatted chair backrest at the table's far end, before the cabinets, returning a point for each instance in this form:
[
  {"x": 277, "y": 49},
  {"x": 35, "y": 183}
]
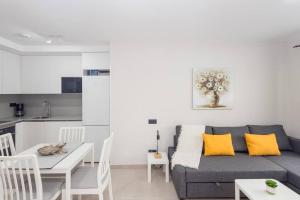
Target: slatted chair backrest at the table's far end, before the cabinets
[{"x": 71, "y": 134}]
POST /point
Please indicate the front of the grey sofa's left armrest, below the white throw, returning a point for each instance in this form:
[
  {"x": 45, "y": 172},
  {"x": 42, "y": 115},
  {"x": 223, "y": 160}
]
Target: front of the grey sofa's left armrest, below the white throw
[{"x": 179, "y": 181}]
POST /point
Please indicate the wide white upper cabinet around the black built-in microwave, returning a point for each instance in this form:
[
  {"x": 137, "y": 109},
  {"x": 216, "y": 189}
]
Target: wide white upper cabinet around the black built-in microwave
[{"x": 42, "y": 74}]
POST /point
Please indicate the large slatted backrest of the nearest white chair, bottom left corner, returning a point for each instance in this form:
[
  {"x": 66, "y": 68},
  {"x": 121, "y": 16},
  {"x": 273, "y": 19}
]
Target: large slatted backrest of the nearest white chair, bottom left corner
[{"x": 20, "y": 178}]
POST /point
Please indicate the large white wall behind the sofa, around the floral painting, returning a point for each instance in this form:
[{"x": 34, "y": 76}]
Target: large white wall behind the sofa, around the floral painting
[{"x": 154, "y": 80}]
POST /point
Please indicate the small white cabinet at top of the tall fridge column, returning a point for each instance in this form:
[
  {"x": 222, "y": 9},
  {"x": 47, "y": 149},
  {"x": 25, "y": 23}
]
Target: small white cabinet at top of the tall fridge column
[{"x": 95, "y": 60}]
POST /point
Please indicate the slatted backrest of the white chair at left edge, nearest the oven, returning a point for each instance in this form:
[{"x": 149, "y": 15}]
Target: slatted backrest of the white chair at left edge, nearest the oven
[{"x": 7, "y": 147}]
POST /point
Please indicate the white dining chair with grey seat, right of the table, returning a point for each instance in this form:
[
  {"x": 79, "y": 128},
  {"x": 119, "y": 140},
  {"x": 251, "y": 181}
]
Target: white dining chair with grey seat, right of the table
[{"x": 94, "y": 180}]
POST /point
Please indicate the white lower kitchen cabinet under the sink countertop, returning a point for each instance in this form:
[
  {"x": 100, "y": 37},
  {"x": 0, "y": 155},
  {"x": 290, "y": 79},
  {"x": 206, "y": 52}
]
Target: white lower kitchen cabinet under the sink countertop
[{"x": 29, "y": 134}]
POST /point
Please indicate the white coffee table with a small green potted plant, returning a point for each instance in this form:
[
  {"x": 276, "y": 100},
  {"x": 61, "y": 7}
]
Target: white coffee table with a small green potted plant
[{"x": 255, "y": 189}]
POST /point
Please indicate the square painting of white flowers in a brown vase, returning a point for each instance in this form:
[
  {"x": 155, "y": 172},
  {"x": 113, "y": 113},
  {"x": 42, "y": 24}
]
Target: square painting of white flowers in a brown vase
[{"x": 212, "y": 89}]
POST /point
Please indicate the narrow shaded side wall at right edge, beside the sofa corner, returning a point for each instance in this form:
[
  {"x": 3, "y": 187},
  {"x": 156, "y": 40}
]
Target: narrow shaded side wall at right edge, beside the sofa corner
[{"x": 288, "y": 95}]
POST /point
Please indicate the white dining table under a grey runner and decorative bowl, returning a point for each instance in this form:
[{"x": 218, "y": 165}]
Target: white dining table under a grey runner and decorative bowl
[{"x": 67, "y": 164}]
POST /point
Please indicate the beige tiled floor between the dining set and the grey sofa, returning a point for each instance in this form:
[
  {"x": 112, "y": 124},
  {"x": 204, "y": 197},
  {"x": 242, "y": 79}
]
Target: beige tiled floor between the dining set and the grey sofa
[{"x": 132, "y": 184}]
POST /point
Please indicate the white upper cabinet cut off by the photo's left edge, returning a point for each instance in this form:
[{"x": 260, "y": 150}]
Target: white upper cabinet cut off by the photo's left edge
[{"x": 10, "y": 73}]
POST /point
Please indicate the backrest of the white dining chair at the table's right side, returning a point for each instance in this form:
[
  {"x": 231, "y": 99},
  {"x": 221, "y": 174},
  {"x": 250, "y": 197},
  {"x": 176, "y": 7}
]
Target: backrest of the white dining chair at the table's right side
[{"x": 104, "y": 165}]
